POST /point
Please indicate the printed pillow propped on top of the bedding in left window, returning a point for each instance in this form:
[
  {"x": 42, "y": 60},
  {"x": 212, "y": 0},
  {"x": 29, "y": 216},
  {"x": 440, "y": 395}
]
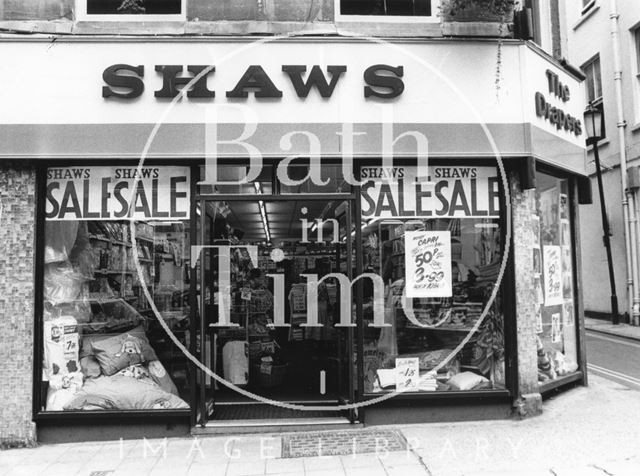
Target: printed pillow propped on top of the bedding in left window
[{"x": 118, "y": 352}]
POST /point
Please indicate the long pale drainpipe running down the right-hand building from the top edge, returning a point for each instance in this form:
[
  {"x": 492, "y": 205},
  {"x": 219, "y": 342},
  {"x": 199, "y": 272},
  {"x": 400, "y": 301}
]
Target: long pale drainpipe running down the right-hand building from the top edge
[{"x": 629, "y": 215}]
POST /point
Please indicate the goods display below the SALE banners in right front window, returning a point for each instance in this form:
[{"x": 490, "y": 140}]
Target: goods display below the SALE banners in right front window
[{"x": 431, "y": 329}]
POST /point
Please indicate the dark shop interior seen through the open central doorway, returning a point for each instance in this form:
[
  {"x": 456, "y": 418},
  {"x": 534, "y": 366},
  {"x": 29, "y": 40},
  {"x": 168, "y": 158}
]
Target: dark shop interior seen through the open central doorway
[{"x": 295, "y": 363}]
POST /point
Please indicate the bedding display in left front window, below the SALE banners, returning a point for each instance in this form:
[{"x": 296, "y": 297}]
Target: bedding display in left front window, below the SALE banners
[{"x": 104, "y": 346}]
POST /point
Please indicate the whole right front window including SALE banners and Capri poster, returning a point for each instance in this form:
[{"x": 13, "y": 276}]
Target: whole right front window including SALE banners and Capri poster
[{"x": 439, "y": 258}]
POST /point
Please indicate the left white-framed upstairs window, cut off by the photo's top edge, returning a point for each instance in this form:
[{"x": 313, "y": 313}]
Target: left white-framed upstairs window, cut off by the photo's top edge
[{"x": 119, "y": 10}]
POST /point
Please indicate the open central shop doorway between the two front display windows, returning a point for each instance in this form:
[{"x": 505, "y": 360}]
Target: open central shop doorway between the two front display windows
[{"x": 258, "y": 256}]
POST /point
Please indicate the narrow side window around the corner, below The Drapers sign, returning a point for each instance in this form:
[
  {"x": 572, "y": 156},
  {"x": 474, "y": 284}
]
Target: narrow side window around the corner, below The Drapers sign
[{"x": 553, "y": 278}]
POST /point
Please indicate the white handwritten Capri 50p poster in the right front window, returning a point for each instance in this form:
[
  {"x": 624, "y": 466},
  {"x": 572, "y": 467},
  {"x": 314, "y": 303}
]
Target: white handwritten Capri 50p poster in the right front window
[{"x": 428, "y": 263}]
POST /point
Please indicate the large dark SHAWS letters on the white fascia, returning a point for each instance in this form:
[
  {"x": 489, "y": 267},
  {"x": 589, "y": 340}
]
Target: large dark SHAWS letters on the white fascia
[{"x": 127, "y": 81}]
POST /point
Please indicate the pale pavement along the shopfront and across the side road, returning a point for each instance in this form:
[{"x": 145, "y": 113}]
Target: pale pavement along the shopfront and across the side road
[{"x": 584, "y": 431}]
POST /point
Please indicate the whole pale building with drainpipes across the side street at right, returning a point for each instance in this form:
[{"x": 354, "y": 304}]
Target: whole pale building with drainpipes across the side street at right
[{"x": 603, "y": 39}]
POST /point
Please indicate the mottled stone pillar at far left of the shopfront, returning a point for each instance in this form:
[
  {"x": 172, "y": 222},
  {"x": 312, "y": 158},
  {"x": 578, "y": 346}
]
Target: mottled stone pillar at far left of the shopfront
[{"x": 17, "y": 223}]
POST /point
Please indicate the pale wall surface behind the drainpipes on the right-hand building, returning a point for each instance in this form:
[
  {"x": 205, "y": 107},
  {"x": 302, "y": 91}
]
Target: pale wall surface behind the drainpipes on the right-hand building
[{"x": 588, "y": 35}]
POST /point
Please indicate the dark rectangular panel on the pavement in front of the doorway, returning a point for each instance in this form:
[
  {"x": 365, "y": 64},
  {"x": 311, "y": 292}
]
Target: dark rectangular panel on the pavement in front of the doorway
[{"x": 345, "y": 442}]
